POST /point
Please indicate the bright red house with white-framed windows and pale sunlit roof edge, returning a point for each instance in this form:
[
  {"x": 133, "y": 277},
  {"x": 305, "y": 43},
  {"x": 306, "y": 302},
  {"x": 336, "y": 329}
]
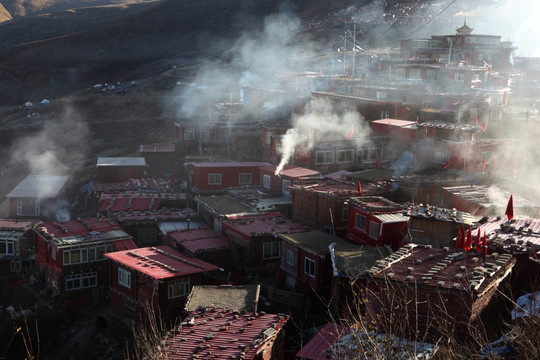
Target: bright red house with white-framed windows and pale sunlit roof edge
[{"x": 377, "y": 221}]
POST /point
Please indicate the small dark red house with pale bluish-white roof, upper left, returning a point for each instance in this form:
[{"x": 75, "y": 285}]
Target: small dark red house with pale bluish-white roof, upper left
[{"x": 118, "y": 169}]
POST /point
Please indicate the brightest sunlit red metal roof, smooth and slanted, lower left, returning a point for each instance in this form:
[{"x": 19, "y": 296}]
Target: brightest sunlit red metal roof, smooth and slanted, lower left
[{"x": 160, "y": 262}]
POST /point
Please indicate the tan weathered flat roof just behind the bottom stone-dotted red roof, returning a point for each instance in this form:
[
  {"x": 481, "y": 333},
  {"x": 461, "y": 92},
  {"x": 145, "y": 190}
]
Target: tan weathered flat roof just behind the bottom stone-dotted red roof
[{"x": 238, "y": 297}]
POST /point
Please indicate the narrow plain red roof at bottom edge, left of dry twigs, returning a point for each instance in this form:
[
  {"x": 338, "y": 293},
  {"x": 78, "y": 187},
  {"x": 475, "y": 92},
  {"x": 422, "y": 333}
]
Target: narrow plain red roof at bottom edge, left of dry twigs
[{"x": 316, "y": 348}]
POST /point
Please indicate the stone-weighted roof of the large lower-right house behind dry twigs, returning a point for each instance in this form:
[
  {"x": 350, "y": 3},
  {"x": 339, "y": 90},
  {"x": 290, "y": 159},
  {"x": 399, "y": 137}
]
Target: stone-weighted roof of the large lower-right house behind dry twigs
[{"x": 442, "y": 268}]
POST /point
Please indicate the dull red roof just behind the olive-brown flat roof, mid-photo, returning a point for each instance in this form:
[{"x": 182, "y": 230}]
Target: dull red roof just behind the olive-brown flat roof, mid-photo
[{"x": 263, "y": 224}]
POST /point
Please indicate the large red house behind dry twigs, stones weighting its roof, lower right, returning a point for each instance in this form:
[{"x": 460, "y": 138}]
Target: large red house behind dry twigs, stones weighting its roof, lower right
[{"x": 422, "y": 292}]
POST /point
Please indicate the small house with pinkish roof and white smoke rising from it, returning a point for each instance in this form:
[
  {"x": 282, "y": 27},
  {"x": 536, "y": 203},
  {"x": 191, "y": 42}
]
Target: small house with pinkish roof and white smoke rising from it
[{"x": 289, "y": 175}]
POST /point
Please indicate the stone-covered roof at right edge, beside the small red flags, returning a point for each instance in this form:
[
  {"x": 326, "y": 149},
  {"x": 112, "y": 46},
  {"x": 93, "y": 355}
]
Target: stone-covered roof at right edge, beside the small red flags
[{"x": 519, "y": 235}]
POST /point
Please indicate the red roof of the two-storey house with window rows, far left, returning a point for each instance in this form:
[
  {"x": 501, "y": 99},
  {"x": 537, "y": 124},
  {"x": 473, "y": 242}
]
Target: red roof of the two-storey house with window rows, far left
[{"x": 79, "y": 227}]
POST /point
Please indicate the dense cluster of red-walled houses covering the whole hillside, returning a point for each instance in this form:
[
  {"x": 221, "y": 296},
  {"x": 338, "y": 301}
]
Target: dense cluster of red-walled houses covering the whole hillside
[{"x": 333, "y": 226}]
